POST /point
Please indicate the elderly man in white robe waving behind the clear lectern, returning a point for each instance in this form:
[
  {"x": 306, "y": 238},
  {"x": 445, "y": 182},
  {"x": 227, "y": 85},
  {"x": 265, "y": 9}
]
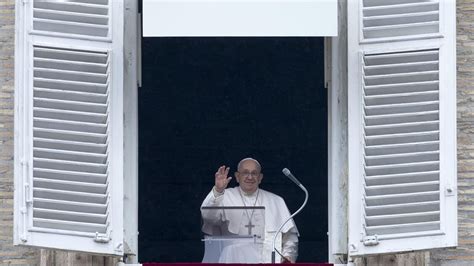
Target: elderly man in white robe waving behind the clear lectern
[{"x": 247, "y": 222}]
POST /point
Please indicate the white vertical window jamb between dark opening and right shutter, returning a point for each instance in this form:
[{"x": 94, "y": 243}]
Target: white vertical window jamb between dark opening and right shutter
[{"x": 337, "y": 139}]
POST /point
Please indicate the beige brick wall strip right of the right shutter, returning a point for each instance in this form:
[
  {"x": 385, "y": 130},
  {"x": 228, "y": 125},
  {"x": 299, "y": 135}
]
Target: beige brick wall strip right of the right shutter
[{"x": 464, "y": 254}]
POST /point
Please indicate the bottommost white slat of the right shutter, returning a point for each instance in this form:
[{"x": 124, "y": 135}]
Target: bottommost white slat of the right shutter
[{"x": 402, "y": 228}]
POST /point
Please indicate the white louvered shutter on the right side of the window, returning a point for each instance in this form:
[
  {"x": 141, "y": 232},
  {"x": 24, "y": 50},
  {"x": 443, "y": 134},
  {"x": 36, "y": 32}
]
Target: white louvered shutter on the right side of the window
[{"x": 402, "y": 126}]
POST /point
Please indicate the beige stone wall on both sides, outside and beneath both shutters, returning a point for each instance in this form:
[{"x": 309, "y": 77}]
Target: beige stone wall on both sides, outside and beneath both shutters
[{"x": 462, "y": 255}]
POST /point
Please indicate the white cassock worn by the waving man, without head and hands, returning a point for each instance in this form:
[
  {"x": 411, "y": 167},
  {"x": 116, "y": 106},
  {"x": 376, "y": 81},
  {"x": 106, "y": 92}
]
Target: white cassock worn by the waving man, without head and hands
[{"x": 276, "y": 213}]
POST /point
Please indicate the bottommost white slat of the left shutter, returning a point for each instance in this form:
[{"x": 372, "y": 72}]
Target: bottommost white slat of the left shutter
[{"x": 70, "y": 226}]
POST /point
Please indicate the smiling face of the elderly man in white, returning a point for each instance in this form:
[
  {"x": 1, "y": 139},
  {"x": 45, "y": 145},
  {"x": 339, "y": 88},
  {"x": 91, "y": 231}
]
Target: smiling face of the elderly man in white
[{"x": 249, "y": 176}]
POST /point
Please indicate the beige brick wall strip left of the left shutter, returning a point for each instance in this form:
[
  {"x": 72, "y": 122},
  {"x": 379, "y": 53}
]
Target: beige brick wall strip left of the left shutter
[{"x": 8, "y": 253}]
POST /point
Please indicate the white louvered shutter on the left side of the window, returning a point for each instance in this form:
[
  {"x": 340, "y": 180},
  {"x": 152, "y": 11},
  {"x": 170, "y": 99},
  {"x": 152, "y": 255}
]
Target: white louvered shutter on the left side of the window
[{"x": 69, "y": 125}]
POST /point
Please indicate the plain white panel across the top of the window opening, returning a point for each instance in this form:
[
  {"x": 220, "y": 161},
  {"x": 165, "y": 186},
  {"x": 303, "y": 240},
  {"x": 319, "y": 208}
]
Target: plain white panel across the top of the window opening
[{"x": 239, "y": 18}]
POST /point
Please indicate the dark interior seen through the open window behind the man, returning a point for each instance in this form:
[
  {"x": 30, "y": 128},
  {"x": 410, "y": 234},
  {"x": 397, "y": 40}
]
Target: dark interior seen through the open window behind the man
[{"x": 212, "y": 101}]
